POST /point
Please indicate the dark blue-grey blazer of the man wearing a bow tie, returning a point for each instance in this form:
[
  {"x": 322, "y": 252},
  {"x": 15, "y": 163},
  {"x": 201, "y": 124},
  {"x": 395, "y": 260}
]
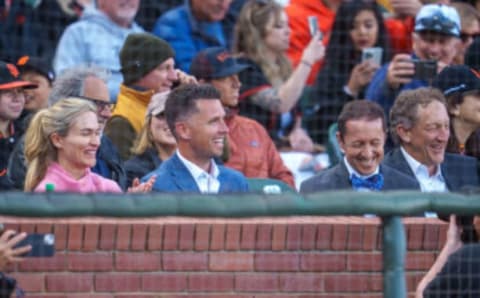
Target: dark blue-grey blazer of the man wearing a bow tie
[{"x": 338, "y": 178}]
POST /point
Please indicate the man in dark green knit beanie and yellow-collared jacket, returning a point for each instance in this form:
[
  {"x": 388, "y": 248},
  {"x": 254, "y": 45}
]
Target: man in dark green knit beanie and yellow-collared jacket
[{"x": 148, "y": 67}]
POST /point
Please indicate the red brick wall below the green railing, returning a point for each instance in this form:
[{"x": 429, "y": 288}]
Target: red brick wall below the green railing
[{"x": 210, "y": 257}]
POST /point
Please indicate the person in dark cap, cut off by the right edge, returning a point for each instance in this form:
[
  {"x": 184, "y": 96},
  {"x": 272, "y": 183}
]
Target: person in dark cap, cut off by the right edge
[{"x": 461, "y": 87}]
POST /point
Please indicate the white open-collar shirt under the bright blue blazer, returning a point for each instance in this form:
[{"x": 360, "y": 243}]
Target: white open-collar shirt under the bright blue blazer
[{"x": 206, "y": 182}]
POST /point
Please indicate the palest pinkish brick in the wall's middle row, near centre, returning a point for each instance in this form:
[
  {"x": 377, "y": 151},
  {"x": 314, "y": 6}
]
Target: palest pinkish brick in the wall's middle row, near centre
[{"x": 231, "y": 261}]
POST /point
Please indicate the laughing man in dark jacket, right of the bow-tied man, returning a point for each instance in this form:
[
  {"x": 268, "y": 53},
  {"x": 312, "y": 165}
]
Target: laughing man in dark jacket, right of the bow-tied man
[{"x": 420, "y": 124}]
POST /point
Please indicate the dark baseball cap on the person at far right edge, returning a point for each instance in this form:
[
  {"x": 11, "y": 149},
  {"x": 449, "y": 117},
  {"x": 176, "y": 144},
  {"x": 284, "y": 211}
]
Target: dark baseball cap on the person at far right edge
[{"x": 457, "y": 78}]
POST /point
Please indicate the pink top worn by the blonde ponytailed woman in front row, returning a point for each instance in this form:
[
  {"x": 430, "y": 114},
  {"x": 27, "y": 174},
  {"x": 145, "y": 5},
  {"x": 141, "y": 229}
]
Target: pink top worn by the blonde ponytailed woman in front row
[{"x": 64, "y": 182}]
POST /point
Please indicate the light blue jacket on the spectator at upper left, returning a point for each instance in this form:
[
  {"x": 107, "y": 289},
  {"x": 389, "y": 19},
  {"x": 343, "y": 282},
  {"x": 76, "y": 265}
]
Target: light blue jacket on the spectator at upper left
[{"x": 94, "y": 39}]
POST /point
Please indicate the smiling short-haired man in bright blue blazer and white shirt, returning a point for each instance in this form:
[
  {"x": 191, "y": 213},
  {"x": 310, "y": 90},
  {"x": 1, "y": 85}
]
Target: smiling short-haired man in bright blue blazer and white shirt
[{"x": 195, "y": 117}]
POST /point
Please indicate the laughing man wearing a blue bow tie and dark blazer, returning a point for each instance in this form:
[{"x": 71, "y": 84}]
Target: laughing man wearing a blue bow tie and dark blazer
[{"x": 361, "y": 134}]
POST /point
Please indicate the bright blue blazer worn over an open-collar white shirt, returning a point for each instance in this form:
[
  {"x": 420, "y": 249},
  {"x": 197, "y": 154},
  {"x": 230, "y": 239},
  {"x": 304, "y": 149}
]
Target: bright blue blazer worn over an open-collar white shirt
[{"x": 173, "y": 176}]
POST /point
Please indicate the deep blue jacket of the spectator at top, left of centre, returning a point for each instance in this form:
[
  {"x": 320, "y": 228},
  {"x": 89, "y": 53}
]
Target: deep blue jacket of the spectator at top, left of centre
[{"x": 187, "y": 35}]
